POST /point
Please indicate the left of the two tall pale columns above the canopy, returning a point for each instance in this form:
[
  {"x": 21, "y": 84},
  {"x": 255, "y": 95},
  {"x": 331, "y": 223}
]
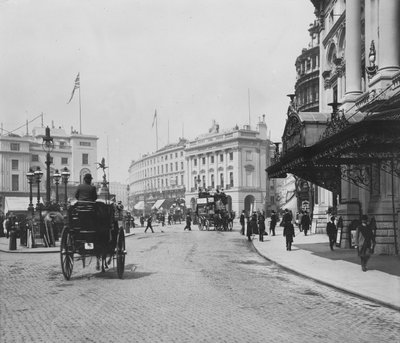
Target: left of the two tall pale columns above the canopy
[{"x": 353, "y": 50}]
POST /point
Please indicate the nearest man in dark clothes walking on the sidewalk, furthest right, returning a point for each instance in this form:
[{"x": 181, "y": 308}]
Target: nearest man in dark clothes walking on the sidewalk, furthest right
[{"x": 365, "y": 242}]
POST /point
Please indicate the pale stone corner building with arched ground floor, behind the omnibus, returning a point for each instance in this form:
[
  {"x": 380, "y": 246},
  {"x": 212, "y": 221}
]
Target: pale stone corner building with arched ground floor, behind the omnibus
[{"x": 233, "y": 161}]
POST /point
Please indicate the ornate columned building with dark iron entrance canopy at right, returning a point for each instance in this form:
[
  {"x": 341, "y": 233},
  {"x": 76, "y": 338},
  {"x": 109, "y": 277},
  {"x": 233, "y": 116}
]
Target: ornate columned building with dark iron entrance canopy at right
[{"x": 356, "y": 149}]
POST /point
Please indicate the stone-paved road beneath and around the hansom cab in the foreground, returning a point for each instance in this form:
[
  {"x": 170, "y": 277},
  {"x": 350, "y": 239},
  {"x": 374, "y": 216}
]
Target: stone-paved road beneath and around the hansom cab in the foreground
[{"x": 181, "y": 287}]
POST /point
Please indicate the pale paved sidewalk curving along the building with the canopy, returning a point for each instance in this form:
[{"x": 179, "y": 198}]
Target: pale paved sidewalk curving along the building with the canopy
[{"x": 311, "y": 257}]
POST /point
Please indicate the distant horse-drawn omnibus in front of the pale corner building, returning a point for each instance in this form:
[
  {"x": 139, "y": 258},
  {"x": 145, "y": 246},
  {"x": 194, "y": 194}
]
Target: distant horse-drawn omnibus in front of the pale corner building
[{"x": 211, "y": 212}]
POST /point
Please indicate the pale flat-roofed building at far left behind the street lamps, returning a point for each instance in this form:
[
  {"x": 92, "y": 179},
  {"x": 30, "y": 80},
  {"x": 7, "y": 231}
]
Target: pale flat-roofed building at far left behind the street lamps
[{"x": 18, "y": 154}]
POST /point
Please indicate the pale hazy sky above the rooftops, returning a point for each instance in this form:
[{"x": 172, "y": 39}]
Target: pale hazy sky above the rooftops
[{"x": 192, "y": 61}]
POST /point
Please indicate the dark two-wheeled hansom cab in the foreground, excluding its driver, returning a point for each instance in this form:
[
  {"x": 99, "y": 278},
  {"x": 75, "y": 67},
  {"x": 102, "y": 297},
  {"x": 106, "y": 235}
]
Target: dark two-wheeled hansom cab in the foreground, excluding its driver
[{"x": 92, "y": 230}]
